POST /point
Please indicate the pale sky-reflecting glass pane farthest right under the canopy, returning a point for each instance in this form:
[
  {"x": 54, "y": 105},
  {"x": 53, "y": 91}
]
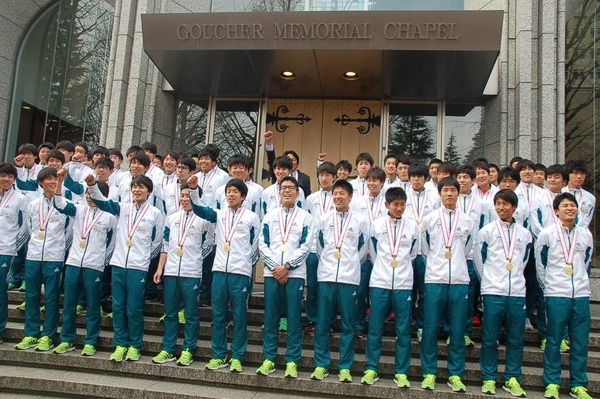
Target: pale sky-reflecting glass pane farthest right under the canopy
[{"x": 464, "y": 136}]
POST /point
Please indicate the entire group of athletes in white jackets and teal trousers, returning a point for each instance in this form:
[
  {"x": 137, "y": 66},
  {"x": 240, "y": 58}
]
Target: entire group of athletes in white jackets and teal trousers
[{"x": 402, "y": 242}]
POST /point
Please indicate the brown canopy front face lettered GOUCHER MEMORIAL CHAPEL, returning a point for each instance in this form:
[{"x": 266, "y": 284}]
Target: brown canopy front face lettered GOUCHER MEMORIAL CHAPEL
[{"x": 441, "y": 30}]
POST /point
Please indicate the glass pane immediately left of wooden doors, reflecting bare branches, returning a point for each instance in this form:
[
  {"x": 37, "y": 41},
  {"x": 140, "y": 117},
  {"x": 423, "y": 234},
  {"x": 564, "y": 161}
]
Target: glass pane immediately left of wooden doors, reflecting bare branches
[{"x": 235, "y": 129}]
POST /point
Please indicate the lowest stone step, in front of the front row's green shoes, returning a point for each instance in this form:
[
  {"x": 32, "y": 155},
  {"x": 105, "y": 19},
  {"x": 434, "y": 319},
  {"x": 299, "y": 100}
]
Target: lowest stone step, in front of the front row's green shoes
[{"x": 98, "y": 377}]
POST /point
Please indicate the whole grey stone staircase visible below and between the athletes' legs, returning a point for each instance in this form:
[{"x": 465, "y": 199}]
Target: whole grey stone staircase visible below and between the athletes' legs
[{"x": 32, "y": 373}]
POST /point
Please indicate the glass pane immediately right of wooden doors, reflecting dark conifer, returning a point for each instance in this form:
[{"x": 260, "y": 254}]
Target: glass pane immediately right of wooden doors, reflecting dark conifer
[{"x": 413, "y": 131}]
